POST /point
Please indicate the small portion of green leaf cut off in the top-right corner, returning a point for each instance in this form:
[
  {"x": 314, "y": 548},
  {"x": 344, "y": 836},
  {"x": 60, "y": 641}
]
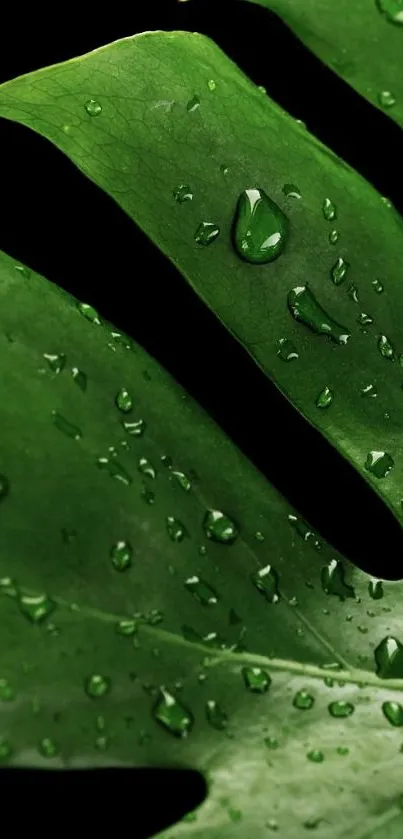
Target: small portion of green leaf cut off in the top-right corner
[{"x": 357, "y": 40}]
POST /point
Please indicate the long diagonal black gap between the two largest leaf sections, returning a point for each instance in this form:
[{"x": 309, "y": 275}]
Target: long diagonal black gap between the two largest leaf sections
[{"x": 61, "y": 225}]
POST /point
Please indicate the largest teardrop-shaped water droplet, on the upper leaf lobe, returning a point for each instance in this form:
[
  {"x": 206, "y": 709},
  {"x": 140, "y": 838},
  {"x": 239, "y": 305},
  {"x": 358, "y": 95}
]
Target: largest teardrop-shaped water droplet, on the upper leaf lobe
[{"x": 260, "y": 227}]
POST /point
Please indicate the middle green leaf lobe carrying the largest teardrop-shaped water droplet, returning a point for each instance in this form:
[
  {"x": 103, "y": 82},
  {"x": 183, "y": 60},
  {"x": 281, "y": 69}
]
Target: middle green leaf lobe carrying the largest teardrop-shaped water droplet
[{"x": 201, "y": 127}]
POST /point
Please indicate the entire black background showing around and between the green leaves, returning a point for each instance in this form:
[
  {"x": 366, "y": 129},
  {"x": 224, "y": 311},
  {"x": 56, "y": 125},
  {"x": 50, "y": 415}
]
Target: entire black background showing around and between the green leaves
[{"x": 64, "y": 227}]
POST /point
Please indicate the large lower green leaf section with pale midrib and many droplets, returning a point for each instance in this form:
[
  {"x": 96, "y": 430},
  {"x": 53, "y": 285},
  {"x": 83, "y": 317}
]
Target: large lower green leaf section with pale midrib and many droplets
[{"x": 160, "y": 603}]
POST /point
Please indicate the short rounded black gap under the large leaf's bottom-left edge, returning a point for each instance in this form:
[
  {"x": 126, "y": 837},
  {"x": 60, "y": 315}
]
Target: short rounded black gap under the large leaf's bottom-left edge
[{"x": 141, "y": 801}]
